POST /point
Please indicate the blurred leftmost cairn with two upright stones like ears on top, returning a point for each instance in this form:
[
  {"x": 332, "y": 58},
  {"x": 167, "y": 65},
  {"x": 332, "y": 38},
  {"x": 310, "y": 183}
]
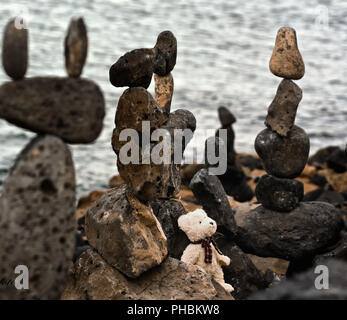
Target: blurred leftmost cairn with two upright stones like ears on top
[{"x": 37, "y": 204}]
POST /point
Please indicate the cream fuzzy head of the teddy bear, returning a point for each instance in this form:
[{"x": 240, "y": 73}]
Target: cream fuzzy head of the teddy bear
[{"x": 197, "y": 225}]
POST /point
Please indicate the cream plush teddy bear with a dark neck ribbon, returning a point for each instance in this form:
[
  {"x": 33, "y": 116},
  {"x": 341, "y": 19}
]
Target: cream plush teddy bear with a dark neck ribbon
[{"x": 203, "y": 250}]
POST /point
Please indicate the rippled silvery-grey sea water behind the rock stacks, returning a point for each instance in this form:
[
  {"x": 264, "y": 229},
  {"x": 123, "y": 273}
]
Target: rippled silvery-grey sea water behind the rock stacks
[{"x": 224, "y": 47}]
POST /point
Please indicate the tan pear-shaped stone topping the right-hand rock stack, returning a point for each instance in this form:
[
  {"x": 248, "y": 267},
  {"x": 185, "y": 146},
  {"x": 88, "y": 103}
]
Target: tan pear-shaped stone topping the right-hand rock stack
[{"x": 286, "y": 61}]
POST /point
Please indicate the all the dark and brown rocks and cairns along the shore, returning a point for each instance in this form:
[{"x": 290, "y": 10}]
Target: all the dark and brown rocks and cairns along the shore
[{"x": 279, "y": 213}]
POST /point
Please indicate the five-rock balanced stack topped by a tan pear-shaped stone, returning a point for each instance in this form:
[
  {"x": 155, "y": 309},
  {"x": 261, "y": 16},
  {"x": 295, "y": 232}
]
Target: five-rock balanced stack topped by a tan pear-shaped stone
[{"x": 283, "y": 226}]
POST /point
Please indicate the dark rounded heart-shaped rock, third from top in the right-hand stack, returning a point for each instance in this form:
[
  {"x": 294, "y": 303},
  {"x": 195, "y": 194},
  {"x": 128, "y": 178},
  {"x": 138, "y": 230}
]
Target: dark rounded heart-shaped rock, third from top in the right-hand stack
[{"x": 283, "y": 157}]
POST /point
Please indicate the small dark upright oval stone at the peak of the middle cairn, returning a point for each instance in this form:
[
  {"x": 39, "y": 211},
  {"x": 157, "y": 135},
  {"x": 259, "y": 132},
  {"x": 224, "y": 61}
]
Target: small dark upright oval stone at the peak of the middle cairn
[{"x": 165, "y": 53}]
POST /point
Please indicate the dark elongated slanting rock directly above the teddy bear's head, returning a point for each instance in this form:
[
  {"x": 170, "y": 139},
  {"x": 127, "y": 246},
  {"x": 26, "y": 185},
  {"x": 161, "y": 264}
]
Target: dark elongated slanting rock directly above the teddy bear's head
[{"x": 211, "y": 195}]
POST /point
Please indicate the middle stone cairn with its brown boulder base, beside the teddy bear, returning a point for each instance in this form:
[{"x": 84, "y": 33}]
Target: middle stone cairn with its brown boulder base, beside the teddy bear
[{"x": 133, "y": 227}]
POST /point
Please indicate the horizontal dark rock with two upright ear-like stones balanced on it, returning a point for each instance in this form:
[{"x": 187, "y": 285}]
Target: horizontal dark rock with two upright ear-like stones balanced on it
[{"x": 70, "y": 108}]
